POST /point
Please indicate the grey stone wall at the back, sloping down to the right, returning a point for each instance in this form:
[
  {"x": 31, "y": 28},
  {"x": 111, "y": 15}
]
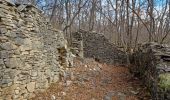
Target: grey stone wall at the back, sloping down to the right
[{"x": 97, "y": 46}]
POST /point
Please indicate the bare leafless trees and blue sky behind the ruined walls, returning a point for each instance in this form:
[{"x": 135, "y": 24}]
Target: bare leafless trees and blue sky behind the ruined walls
[{"x": 126, "y": 23}]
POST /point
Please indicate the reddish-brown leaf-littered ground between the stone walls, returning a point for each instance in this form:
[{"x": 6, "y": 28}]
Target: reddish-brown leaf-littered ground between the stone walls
[{"x": 96, "y": 81}]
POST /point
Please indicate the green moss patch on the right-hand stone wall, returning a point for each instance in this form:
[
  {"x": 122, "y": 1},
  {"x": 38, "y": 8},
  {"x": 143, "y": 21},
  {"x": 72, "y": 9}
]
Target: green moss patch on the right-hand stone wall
[{"x": 164, "y": 81}]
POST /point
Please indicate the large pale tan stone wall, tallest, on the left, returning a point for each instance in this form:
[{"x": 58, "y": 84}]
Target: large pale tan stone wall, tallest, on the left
[{"x": 32, "y": 53}]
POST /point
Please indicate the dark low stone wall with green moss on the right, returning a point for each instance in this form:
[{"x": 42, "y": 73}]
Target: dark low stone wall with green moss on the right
[{"x": 152, "y": 63}]
